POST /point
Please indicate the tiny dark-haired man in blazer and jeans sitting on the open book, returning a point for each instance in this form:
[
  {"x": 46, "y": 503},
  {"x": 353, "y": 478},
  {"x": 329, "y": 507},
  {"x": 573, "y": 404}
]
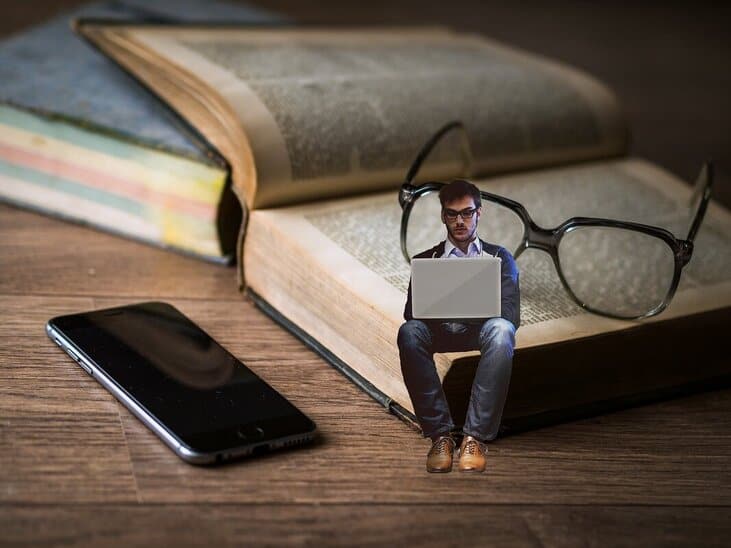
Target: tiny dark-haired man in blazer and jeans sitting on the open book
[{"x": 495, "y": 338}]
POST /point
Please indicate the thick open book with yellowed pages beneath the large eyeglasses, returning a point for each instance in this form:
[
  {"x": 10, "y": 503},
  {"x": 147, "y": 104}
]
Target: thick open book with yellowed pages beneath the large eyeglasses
[{"x": 319, "y": 128}]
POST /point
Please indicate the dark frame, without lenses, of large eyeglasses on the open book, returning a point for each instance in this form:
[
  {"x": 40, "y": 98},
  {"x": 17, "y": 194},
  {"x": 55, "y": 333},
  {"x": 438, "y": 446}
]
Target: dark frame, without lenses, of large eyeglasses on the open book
[{"x": 548, "y": 239}]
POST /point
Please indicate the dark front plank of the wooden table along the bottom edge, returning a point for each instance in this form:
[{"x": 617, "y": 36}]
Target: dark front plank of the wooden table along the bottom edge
[{"x": 366, "y": 525}]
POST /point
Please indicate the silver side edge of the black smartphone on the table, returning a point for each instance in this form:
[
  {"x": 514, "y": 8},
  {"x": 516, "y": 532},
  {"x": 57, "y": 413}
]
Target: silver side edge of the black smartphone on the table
[{"x": 179, "y": 448}]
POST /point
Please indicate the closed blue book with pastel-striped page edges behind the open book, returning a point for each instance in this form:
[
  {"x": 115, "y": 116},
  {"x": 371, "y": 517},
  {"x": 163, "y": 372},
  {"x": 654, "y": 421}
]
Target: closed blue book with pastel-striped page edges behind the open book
[{"x": 81, "y": 139}]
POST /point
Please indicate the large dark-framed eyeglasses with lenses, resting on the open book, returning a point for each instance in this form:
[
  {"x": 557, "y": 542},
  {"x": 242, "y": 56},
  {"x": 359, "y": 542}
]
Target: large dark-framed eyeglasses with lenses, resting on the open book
[{"x": 613, "y": 268}]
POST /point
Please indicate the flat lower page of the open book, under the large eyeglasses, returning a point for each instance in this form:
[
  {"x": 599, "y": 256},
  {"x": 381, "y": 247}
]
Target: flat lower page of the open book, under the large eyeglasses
[{"x": 357, "y": 240}]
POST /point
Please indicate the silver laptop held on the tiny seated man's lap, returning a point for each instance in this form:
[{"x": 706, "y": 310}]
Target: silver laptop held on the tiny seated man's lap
[{"x": 463, "y": 288}]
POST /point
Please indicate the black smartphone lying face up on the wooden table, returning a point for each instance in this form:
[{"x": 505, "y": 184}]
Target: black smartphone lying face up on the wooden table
[{"x": 205, "y": 404}]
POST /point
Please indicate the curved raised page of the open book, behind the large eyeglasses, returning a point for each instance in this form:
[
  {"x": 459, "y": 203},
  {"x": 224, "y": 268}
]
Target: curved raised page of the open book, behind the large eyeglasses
[{"x": 331, "y": 113}]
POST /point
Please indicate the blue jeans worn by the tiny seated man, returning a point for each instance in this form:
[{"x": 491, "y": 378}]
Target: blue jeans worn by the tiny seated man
[{"x": 418, "y": 341}]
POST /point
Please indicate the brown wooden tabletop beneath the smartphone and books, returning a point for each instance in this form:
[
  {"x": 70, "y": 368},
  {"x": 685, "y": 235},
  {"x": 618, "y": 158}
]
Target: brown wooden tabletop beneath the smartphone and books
[{"x": 77, "y": 469}]
